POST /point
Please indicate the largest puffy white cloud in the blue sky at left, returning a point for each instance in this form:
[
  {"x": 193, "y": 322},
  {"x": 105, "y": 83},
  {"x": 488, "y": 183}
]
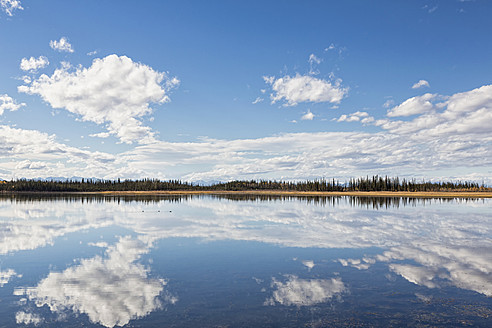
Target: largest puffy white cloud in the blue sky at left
[{"x": 114, "y": 91}]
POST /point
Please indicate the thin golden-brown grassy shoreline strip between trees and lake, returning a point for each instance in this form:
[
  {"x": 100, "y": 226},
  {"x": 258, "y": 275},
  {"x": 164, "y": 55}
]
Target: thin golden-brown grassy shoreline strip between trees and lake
[{"x": 409, "y": 194}]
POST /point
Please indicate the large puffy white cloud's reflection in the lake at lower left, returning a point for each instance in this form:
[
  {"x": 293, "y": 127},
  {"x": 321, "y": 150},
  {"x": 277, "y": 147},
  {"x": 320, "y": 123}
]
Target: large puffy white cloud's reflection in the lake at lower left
[{"x": 111, "y": 291}]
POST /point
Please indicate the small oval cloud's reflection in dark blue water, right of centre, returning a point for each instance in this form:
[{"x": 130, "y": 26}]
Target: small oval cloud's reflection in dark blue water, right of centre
[{"x": 305, "y": 292}]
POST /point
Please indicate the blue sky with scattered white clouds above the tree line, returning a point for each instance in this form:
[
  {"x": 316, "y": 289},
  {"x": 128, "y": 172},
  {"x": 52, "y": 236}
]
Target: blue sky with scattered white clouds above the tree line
[{"x": 207, "y": 91}]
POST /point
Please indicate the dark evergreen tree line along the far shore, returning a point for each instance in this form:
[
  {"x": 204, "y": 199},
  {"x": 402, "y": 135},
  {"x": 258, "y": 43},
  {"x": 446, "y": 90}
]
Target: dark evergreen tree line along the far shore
[{"x": 374, "y": 183}]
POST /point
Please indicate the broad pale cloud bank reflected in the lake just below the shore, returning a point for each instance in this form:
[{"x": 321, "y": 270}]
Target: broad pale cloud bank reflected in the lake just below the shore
[{"x": 431, "y": 246}]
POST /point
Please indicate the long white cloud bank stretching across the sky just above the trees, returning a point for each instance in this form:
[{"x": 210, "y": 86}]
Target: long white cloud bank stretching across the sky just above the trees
[{"x": 448, "y": 137}]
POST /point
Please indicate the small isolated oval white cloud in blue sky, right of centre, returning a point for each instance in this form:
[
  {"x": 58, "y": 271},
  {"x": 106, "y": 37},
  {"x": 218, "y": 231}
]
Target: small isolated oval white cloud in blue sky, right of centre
[{"x": 305, "y": 88}]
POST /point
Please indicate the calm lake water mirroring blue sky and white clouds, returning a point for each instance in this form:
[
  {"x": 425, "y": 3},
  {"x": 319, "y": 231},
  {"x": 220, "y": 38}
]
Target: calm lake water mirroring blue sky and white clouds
[{"x": 208, "y": 261}]
